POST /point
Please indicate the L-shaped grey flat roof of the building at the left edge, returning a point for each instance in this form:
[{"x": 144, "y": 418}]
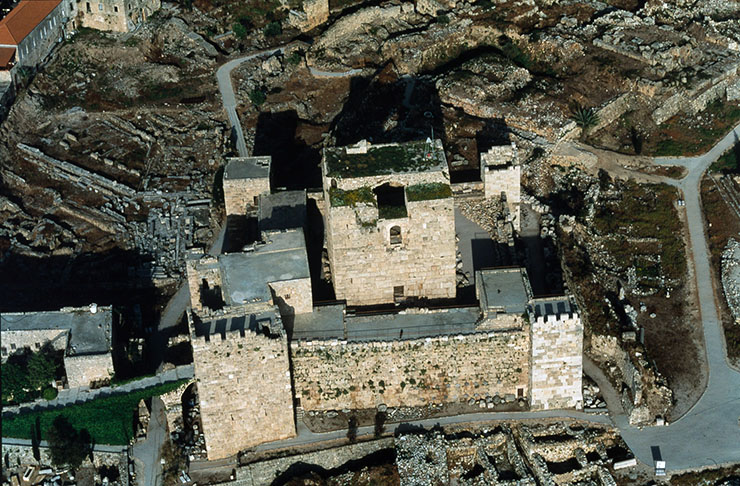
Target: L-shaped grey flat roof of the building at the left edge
[{"x": 88, "y": 333}]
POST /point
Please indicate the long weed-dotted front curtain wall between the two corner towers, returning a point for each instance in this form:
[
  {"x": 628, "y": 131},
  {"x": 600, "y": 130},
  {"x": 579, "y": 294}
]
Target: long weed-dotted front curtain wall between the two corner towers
[{"x": 337, "y": 375}]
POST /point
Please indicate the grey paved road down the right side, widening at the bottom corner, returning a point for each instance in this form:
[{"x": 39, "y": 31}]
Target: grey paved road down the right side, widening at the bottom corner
[{"x": 709, "y": 433}]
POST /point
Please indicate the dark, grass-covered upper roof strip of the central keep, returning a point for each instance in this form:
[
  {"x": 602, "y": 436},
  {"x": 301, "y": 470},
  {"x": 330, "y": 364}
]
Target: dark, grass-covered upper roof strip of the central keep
[{"x": 364, "y": 160}]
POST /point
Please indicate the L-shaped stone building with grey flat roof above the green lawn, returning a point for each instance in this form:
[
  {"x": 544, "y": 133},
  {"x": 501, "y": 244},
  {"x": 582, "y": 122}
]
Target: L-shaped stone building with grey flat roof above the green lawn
[{"x": 82, "y": 334}]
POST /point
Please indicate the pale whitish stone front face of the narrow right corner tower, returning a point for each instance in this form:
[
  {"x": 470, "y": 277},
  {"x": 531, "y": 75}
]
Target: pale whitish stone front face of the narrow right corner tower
[{"x": 557, "y": 362}]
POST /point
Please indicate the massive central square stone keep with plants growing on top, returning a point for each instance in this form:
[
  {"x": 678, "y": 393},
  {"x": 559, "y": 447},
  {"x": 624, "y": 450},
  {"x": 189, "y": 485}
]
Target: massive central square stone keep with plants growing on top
[{"x": 390, "y": 224}]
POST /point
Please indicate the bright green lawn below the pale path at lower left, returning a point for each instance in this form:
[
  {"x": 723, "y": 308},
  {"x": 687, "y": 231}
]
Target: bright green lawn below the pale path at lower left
[{"x": 109, "y": 420}]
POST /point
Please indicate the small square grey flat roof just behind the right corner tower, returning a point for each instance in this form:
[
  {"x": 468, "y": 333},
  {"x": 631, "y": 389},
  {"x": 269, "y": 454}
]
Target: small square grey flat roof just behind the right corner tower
[{"x": 503, "y": 288}]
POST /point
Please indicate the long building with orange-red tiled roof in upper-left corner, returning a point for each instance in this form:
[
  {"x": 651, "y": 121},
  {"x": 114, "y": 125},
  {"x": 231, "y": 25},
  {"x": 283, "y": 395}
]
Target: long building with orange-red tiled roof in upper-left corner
[{"x": 29, "y": 33}]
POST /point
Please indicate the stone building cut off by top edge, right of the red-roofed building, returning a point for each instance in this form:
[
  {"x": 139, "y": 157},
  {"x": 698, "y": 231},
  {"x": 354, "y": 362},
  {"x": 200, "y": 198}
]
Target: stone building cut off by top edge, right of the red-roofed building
[{"x": 112, "y": 15}]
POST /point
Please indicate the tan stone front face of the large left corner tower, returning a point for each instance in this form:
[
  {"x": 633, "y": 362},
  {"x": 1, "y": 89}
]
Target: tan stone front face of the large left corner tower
[{"x": 244, "y": 391}]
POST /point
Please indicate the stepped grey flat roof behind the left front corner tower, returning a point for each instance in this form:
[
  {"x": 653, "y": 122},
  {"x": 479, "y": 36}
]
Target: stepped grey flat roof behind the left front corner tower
[{"x": 246, "y": 275}]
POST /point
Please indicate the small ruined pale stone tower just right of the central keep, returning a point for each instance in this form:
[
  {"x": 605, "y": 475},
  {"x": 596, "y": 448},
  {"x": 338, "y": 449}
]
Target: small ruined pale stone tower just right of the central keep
[{"x": 501, "y": 175}]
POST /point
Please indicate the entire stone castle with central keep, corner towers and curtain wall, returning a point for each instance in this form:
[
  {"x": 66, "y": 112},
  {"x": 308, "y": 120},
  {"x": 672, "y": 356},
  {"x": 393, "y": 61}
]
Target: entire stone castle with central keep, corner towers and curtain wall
[{"x": 265, "y": 353}]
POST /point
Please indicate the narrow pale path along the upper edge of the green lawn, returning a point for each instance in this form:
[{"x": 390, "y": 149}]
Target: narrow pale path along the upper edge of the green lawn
[{"x": 76, "y": 396}]
